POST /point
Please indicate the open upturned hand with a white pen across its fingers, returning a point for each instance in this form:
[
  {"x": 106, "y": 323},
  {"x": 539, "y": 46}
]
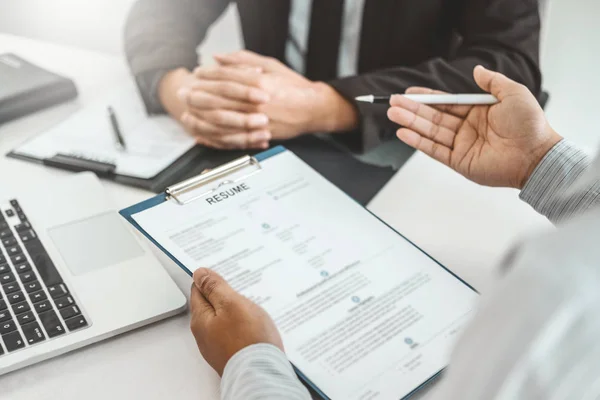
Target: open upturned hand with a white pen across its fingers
[{"x": 497, "y": 145}]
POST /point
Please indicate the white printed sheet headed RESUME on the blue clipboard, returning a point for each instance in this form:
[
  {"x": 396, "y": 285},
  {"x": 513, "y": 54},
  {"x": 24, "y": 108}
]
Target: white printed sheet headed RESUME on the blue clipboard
[{"x": 364, "y": 314}]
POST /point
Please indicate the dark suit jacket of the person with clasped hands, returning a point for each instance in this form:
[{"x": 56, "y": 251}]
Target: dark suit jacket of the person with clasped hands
[{"x": 433, "y": 43}]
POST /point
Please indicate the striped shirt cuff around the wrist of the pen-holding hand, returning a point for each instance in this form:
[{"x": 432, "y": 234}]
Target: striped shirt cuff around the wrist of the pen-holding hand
[{"x": 547, "y": 188}]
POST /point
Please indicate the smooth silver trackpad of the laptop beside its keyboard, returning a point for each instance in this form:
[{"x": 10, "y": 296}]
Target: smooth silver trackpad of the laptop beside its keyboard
[{"x": 93, "y": 243}]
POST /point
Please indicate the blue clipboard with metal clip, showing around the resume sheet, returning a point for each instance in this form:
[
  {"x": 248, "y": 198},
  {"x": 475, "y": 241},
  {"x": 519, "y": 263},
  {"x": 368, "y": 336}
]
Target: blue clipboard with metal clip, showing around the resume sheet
[{"x": 187, "y": 192}]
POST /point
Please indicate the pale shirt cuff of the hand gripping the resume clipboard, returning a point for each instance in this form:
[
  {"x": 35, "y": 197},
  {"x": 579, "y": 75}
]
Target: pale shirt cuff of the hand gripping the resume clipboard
[{"x": 261, "y": 371}]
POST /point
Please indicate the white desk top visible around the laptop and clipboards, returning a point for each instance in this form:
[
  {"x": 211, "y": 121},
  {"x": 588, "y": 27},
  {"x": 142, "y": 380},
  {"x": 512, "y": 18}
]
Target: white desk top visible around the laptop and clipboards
[{"x": 465, "y": 226}]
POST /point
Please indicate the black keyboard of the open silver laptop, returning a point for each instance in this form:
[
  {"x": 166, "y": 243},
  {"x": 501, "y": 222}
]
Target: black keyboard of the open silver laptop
[{"x": 35, "y": 303}]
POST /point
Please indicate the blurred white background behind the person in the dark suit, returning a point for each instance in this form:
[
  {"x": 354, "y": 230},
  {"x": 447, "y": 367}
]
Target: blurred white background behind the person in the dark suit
[{"x": 570, "y": 49}]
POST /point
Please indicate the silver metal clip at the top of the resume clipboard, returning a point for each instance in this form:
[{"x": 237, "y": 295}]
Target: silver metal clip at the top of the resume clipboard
[{"x": 176, "y": 192}]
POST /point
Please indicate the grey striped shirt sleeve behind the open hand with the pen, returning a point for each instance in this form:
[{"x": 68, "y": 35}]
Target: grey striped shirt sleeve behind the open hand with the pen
[{"x": 553, "y": 191}]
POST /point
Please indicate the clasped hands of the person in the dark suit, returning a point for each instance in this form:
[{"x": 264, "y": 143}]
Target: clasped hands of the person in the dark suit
[{"x": 247, "y": 100}]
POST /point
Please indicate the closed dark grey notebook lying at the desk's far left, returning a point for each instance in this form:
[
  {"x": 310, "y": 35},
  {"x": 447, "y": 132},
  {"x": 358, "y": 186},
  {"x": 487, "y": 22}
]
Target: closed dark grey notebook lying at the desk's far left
[{"x": 26, "y": 88}]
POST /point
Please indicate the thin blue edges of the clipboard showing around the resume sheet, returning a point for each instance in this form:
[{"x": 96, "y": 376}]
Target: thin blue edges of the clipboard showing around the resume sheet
[{"x": 128, "y": 213}]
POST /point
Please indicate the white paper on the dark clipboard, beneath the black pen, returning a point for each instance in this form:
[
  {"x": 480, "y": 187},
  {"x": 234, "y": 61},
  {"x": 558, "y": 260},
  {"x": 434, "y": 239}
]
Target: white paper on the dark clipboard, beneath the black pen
[{"x": 87, "y": 139}]
